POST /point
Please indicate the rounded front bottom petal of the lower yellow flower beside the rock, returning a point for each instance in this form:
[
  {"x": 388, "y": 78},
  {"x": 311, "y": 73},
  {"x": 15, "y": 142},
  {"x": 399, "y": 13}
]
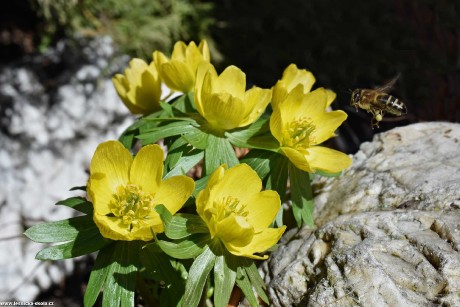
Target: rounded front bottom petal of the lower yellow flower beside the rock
[{"x": 235, "y": 230}]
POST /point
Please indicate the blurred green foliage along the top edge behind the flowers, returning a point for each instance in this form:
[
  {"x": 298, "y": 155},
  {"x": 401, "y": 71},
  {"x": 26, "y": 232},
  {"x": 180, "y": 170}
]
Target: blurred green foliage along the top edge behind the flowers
[{"x": 137, "y": 27}]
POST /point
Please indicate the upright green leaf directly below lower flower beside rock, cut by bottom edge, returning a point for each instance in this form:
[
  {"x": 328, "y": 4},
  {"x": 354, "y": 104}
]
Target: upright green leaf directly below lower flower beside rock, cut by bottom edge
[{"x": 224, "y": 280}]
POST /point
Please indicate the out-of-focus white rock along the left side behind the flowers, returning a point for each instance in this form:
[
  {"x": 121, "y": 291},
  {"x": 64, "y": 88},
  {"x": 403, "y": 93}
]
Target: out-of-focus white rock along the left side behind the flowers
[{"x": 49, "y": 129}]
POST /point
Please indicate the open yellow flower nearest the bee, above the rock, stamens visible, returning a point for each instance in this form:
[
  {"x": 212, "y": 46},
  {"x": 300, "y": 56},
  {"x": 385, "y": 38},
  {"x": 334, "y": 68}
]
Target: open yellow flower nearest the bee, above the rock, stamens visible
[{"x": 300, "y": 123}]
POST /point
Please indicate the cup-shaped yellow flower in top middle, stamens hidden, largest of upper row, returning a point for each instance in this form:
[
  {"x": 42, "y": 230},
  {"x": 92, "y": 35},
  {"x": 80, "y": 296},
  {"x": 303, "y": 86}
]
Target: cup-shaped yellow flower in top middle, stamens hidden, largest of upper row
[{"x": 223, "y": 100}]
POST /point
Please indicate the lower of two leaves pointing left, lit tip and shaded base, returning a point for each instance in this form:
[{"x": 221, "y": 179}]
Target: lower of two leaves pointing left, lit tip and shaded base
[{"x": 85, "y": 243}]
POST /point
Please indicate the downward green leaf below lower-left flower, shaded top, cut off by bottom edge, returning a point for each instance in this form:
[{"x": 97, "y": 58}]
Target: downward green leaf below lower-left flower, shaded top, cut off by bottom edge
[{"x": 120, "y": 284}]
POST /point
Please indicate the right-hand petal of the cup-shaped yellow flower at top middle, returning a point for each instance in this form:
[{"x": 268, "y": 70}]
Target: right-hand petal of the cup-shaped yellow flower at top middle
[{"x": 256, "y": 100}]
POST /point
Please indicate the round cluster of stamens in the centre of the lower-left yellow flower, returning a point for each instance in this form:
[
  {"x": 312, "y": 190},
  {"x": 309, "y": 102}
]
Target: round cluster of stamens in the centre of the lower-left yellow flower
[{"x": 131, "y": 204}]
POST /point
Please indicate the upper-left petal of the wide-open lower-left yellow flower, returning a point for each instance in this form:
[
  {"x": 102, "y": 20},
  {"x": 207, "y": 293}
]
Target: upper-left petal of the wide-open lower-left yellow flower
[{"x": 113, "y": 160}]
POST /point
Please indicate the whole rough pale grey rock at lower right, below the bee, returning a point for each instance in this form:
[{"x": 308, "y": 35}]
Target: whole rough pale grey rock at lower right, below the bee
[{"x": 389, "y": 228}]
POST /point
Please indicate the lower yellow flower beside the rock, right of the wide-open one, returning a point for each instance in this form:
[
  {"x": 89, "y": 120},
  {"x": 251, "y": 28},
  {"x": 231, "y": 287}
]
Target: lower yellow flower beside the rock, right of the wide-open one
[{"x": 237, "y": 213}]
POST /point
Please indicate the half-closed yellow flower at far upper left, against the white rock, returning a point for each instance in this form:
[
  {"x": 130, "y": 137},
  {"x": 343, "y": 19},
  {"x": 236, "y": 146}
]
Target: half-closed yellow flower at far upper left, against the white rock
[{"x": 140, "y": 87}]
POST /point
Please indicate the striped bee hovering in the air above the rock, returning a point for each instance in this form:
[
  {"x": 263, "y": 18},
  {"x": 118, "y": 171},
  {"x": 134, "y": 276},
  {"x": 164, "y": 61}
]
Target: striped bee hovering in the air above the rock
[{"x": 378, "y": 102}]
